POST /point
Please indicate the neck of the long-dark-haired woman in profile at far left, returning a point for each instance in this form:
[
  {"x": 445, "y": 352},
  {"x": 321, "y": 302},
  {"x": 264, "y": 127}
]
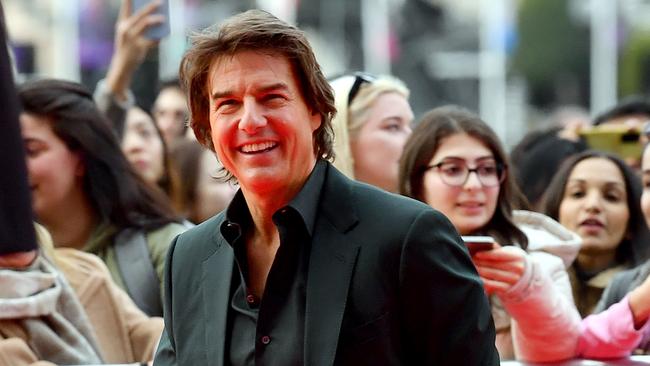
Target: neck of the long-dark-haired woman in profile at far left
[{"x": 72, "y": 229}]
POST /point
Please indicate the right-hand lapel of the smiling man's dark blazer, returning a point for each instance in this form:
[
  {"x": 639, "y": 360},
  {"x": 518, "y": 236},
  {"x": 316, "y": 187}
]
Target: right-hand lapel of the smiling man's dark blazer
[{"x": 331, "y": 263}]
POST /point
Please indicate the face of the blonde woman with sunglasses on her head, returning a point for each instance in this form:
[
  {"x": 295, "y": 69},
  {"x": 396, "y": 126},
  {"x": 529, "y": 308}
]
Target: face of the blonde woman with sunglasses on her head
[{"x": 377, "y": 147}]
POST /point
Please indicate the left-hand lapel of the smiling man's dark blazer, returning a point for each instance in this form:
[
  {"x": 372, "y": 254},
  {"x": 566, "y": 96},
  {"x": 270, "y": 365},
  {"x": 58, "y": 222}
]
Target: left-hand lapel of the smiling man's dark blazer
[{"x": 216, "y": 296}]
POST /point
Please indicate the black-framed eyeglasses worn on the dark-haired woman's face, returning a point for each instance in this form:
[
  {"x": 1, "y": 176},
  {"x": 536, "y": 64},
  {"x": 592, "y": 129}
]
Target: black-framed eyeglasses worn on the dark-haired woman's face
[{"x": 455, "y": 174}]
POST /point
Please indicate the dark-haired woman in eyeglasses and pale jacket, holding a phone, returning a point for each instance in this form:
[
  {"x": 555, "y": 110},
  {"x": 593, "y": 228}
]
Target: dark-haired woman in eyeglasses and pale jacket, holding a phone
[{"x": 454, "y": 162}]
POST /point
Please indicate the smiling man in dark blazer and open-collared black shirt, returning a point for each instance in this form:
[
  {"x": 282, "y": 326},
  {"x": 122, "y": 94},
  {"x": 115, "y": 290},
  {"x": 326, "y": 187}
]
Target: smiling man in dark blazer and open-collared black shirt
[{"x": 305, "y": 267}]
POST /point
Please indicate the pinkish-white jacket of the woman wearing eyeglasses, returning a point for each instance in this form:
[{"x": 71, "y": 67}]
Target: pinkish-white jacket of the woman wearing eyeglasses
[{"x": 545, "y": 324}]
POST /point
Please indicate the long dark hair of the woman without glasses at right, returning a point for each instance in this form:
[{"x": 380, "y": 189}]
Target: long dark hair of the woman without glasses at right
[{"x": 632, "y": 250}]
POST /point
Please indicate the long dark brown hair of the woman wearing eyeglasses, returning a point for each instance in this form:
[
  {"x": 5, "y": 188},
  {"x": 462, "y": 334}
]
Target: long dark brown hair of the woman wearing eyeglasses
[{"x": 435, "y": 126}]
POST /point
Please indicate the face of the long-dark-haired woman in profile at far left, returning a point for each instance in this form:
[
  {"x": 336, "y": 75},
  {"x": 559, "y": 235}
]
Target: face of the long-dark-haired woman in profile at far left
[{"x": 55, "y": 172}]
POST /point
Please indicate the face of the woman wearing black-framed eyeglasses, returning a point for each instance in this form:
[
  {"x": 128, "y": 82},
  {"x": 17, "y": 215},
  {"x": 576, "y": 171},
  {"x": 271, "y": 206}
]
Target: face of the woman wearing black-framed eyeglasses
[{"x": 469, "y": 206}]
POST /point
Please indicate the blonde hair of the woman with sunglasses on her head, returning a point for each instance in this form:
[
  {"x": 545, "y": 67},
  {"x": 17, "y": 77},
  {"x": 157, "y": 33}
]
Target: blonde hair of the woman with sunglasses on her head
[{"x": 351, "y": 118}]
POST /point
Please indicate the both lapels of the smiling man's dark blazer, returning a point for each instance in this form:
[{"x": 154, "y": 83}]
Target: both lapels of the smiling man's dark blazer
[{"x": 332, "y": 259}]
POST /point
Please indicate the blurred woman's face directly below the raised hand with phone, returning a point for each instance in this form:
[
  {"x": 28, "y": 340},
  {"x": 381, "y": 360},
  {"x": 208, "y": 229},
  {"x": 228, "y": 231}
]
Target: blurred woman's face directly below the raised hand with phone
[{"x": 143, "y": 146}]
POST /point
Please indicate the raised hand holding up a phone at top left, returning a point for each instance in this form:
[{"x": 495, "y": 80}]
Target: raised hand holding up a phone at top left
[{"x": 131, "y": 44}]
